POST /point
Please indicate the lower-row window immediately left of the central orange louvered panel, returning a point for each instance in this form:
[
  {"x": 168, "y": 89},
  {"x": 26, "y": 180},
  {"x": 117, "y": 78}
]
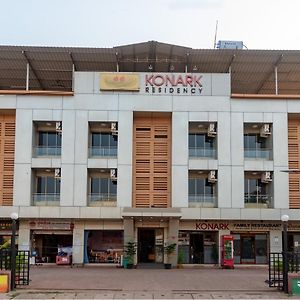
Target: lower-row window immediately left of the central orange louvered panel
[{"x": 103, "y": 191}]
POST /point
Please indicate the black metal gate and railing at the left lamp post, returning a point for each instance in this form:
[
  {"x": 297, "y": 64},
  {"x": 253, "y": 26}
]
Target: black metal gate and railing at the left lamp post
[{"x": 22, "y": 265}]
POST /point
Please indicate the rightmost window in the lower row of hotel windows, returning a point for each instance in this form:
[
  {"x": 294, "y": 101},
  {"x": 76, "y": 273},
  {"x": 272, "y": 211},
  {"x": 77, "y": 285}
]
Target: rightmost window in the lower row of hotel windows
[{"x": 256, "y": 193}]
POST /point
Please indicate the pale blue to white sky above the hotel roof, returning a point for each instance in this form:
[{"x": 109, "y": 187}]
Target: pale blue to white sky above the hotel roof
[{"x": 260, "y": 24}]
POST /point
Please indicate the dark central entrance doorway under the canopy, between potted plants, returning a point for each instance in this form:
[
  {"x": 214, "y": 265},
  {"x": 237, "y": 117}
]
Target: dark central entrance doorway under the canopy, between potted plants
[{"x": 146, "y": 245}]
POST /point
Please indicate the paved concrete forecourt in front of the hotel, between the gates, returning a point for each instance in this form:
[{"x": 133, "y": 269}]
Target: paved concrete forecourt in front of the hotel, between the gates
[{"x": 61, "y": 282}]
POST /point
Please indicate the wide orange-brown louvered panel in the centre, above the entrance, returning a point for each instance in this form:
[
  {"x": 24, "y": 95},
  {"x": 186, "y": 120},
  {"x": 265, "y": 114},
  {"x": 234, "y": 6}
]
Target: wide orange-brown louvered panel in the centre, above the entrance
[{"x": 151, "y": 180}]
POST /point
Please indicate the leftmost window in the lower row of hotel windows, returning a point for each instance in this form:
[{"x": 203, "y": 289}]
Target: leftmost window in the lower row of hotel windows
[{"x": 47, "y": 190}]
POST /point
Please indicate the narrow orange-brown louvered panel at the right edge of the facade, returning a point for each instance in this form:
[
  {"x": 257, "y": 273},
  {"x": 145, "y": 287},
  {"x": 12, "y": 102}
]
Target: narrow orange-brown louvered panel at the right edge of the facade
[{"x": 293, "y": 149}]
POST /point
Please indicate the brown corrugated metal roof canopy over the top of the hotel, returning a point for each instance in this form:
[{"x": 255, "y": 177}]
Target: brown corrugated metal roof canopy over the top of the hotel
[{"x": 253, "y": 71}]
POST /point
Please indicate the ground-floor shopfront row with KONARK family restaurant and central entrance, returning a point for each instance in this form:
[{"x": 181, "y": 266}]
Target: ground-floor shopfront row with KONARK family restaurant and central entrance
[{"x": 199, "y": 242}]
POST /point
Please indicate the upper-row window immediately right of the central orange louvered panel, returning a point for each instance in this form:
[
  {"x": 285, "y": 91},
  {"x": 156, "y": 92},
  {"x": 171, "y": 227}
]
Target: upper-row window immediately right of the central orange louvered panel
[{"x": 201, "y": 145}]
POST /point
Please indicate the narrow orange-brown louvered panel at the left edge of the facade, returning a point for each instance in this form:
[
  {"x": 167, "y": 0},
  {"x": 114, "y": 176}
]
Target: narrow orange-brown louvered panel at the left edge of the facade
[{"x": 7, "y": 153}]
